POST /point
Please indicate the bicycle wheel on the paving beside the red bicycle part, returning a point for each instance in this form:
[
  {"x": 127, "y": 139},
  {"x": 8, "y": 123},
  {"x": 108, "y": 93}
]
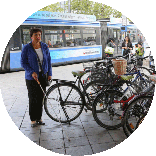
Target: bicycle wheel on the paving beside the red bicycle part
[{"x": 106, "y": 113}]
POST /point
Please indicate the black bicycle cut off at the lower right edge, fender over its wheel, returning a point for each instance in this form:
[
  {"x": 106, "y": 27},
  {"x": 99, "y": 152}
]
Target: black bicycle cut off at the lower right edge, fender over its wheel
[{"x": 137, "y": 110}]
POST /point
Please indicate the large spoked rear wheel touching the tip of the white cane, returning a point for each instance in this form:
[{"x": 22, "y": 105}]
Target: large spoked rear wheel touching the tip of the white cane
[{"x": 67, "y": 109}]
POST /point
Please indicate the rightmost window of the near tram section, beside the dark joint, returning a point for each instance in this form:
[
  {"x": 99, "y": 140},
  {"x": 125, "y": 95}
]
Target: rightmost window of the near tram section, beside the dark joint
[{"x": 89, "y": 37}]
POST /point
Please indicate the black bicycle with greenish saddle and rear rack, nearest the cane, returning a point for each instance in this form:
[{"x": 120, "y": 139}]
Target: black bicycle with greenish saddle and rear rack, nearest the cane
[{"x": 64, "y": 101}]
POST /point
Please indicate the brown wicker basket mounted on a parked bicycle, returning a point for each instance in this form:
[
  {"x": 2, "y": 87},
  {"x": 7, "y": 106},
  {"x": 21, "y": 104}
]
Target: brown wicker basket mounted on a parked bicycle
[{"x": 119, "y": 66}]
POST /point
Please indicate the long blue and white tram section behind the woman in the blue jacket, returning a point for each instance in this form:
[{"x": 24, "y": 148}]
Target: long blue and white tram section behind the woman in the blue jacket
[{"x": 71, "y": 38}]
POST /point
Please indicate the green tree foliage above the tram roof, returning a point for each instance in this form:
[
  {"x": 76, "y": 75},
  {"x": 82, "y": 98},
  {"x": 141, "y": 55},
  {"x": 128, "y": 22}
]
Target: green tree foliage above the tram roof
[{"x": 85, "y": 7}]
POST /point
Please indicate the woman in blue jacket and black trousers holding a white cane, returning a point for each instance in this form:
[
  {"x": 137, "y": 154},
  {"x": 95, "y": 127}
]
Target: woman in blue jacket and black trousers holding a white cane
[{"x": 33, "y": 74}]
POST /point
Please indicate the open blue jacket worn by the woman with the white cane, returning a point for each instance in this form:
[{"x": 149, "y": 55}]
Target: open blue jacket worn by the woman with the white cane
[{"x": 30, "y": 64}]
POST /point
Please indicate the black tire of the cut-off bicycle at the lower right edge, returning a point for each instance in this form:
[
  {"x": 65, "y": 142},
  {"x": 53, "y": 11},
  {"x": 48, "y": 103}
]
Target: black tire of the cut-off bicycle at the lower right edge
[{"x": 128, "y": 127}]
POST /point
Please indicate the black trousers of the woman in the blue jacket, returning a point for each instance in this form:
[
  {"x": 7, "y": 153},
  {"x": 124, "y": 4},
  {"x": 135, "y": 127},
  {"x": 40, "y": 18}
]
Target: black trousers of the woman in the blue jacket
[{"x": 35, "y": 95}]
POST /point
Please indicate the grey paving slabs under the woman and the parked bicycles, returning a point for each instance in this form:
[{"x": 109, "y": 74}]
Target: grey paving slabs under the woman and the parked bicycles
[{"x": 86, "y": 137}]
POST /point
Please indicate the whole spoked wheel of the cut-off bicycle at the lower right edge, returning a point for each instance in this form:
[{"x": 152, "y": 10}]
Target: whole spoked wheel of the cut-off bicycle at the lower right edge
[{"x": 136, "y": 109}]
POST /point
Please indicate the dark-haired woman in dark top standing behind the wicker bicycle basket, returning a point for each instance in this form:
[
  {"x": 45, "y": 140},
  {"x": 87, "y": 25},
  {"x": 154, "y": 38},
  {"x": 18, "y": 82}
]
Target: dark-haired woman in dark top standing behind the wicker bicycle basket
[{"x": 127, "y": 46}]
